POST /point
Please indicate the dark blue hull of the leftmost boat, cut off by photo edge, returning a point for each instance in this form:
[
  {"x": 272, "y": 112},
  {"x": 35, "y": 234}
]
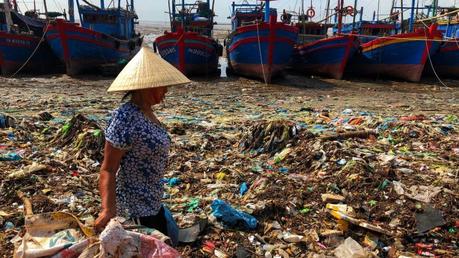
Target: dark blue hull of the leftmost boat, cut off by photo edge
[{"x": 17, "y": 50}]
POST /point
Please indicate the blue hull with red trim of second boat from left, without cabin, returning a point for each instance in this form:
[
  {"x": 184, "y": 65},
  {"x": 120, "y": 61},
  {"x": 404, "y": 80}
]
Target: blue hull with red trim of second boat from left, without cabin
[{"x": 83, "y": 49}]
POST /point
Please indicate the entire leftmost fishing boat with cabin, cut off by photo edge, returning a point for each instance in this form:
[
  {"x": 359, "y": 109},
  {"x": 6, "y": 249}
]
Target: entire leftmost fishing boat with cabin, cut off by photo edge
[{"x": 22, "y": 45}]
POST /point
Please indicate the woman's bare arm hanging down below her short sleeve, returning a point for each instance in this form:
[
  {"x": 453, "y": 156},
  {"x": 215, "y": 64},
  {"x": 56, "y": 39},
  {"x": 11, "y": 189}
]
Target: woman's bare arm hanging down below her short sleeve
[{"x": 107, "y": 184}]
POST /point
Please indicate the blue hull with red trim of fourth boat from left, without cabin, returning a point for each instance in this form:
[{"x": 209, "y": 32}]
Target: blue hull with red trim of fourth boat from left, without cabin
[{"x": 261, "y": 51}]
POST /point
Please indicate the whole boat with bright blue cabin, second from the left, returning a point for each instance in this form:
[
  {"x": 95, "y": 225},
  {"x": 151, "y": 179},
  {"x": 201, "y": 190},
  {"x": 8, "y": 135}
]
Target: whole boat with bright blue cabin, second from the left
[{"x": 105, "y": 37}]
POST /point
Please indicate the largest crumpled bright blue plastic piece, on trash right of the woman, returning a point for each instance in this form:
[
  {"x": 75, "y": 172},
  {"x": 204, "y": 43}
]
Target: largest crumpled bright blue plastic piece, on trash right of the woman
[{"x": 231, "y": 217}]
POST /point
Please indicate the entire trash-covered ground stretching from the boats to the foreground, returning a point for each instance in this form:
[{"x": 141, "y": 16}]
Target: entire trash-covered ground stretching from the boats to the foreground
[{"x": 303, "y": 167}]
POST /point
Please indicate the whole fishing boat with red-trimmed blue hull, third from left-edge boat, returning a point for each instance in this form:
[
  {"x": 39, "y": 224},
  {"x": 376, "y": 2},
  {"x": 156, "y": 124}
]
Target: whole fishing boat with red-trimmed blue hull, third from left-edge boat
[{"x": 259, "y": 46}]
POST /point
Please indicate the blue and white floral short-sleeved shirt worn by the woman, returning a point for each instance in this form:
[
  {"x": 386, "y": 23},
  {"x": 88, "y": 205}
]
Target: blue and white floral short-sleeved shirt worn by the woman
[{"x": 138, "y": 180}]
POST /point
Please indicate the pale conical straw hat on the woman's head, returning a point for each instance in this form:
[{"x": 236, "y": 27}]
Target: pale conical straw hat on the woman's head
[{"x": 147, "y": 70}]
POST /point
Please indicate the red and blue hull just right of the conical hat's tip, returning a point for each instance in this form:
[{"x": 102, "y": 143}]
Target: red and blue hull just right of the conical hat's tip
[{"x": 191, "y": 53}]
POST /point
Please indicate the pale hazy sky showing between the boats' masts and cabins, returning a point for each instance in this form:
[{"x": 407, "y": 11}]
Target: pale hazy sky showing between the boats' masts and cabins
[{"x": 154, "y": 10}]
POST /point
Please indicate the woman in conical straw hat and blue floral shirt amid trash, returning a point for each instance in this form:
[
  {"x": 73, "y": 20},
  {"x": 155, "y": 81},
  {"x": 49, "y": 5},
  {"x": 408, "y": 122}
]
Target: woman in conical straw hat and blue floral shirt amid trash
[{"x": 137, "y": 145}]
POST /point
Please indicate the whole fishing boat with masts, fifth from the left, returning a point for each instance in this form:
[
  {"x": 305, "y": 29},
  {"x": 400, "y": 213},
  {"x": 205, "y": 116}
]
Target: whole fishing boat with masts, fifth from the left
[{"x": 326, "y": 56}]
